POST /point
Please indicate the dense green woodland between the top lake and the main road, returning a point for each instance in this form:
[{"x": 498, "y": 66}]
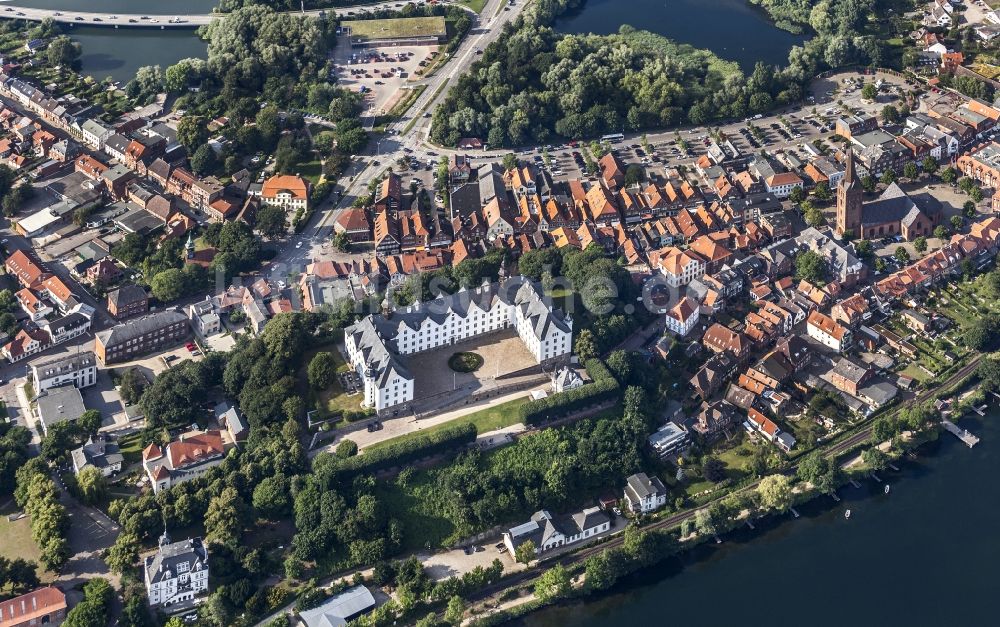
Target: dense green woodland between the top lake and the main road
[{"x": 535, "y": 84}]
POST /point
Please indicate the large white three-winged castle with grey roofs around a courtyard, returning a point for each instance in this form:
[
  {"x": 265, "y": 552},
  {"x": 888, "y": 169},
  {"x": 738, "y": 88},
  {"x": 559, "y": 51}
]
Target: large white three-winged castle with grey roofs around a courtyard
[{"x": 376, "y": 345}]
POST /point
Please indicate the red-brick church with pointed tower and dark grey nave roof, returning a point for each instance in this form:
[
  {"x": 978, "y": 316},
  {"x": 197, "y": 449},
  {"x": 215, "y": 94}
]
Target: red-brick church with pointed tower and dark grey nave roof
[{"x": 893, "y": 213}]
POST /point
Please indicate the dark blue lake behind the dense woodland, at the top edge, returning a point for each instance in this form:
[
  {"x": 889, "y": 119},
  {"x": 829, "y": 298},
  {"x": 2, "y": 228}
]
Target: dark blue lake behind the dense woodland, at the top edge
[{"x": 732, "y": 29}]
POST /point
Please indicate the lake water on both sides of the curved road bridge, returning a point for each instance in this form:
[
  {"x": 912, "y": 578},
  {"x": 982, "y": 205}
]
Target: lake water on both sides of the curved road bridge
[{"x": 118, "y": 53}]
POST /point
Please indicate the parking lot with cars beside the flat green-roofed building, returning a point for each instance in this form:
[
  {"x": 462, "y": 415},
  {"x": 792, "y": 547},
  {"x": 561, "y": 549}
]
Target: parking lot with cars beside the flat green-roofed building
[{"x": 380, "y": 73}]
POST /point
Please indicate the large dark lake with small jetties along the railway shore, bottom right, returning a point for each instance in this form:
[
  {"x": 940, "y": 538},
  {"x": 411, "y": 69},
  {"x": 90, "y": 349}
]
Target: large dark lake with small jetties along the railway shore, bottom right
[{"x": 927, "y": 554}]
